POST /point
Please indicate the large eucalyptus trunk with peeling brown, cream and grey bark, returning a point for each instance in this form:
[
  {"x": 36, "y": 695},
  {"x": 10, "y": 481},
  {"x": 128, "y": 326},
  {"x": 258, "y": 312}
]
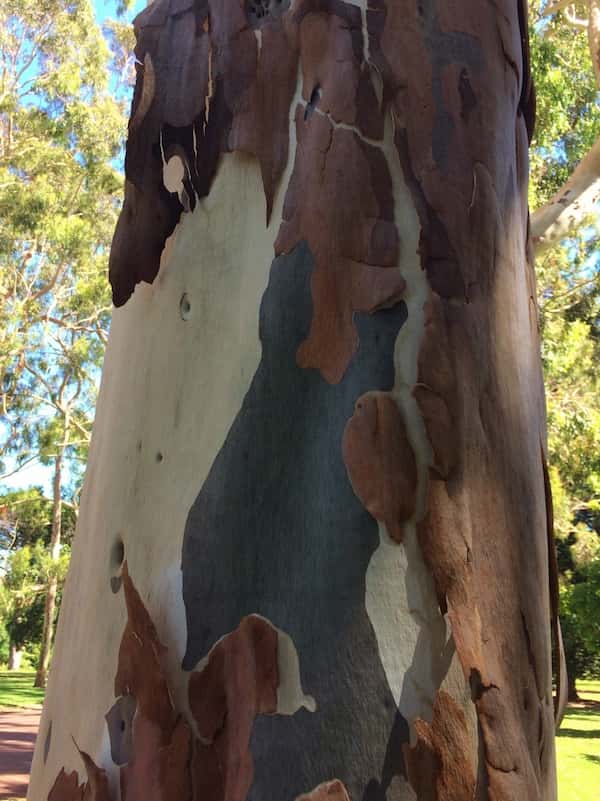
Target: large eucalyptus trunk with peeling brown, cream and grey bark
[{"x": 314, "y": 552}]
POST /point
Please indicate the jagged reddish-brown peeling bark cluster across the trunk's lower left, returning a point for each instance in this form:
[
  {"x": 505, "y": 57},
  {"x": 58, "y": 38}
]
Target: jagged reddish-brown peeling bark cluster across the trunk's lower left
[{"x": 238, "y": 682}]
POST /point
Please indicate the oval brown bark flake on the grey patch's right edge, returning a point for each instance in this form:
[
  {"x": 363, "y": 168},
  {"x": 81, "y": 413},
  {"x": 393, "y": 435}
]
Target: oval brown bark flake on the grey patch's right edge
[{"x": 380, "y": 461}]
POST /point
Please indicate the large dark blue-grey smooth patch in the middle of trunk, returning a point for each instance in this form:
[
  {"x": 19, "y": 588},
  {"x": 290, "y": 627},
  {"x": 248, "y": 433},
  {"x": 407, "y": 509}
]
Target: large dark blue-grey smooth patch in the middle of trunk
[{"x": 277, "y": 530}]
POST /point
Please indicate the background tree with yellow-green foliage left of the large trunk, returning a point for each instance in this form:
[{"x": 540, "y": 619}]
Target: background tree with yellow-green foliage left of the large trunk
[{"x": 61, "y": 130}]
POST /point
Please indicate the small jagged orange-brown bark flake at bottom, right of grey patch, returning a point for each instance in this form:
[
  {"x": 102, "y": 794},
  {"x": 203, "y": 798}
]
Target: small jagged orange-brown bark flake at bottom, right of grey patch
[{"x": 438, "y": 766}]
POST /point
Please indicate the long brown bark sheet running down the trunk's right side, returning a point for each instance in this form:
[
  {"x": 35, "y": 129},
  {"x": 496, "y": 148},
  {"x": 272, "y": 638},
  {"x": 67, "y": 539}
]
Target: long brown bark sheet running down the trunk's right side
[{"x": 457, "y": 77}]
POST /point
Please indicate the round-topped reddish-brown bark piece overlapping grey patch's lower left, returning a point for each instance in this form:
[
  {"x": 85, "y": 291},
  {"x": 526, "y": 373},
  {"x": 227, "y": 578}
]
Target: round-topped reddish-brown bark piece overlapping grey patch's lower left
[{"x": 238, "y": 682}]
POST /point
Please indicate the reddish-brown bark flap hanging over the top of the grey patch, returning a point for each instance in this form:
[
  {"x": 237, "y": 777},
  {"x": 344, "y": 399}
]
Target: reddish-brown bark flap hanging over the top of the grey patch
[{"x": 340, "y": 201}]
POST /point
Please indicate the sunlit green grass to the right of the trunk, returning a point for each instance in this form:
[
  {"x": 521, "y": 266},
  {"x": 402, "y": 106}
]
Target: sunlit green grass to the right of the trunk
[{"x": 578, "y": 747}]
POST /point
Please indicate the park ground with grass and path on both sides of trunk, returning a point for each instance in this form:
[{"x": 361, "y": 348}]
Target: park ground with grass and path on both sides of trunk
[{"x": 577, "y": 744}]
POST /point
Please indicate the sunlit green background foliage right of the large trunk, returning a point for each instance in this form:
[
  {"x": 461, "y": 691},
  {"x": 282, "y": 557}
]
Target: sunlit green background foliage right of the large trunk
[{"x": 565, "y": 224}]
